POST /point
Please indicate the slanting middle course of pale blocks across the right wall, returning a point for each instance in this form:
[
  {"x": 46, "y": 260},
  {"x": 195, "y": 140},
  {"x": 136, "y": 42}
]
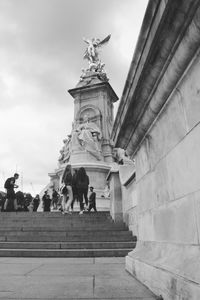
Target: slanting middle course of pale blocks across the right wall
[{"x": 165, "y": 182}]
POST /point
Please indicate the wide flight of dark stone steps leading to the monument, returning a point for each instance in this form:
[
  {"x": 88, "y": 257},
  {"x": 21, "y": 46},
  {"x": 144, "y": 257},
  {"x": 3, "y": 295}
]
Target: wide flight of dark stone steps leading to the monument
[{"x": 24, "y": 234}]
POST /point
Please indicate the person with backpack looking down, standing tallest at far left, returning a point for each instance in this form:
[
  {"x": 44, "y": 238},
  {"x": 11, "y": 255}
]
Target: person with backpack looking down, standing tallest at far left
[{"x": 11, "y": 201}]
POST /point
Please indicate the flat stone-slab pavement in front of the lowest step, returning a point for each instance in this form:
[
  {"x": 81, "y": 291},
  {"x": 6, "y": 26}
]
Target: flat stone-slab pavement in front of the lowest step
[{"x": 68, "y": 278}]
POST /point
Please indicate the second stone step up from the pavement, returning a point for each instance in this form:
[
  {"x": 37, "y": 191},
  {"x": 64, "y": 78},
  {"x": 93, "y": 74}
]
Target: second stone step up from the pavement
[{"x": 67, "y": 245}]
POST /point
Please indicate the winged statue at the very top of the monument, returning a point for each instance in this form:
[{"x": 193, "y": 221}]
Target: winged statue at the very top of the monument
[{"x": 93, "y": 45}]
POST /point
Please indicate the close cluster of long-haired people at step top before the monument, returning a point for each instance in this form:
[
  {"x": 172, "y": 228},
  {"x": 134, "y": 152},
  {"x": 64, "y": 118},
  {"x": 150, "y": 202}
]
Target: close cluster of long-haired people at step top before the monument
[{"x": 76, "y": 187}]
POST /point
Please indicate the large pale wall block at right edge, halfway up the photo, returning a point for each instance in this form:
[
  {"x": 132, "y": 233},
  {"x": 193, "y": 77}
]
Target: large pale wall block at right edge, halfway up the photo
[{"x": 183, "y": 165}]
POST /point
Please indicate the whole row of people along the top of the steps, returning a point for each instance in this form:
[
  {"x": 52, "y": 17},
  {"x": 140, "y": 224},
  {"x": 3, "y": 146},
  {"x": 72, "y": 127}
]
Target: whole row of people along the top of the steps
[{"x": 74, "y": 188}]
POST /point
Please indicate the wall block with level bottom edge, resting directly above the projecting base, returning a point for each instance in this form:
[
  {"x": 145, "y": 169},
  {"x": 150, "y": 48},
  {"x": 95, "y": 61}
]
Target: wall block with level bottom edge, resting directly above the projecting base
[{"x": 172, "y": 222}]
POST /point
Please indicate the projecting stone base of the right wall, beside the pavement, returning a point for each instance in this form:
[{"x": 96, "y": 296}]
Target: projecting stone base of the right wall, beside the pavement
[{"x": 169, "y": 270}]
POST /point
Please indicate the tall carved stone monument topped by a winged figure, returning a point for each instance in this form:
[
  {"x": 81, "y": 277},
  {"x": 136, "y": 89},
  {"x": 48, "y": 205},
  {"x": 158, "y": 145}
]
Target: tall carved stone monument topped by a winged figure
[{"x": 89, "y": 143}]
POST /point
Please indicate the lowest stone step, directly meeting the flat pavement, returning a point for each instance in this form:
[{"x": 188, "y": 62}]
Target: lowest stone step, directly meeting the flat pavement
[{"x": 64, "y": 252}]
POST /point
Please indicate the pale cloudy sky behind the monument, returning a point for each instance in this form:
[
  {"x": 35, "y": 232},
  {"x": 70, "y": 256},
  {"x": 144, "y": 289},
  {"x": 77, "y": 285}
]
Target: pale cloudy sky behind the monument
[{"x": 41, "y": 50}]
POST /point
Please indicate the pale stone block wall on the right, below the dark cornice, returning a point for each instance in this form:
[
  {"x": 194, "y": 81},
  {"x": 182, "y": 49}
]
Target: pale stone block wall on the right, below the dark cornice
[{"x": 168, "y": 186}]
